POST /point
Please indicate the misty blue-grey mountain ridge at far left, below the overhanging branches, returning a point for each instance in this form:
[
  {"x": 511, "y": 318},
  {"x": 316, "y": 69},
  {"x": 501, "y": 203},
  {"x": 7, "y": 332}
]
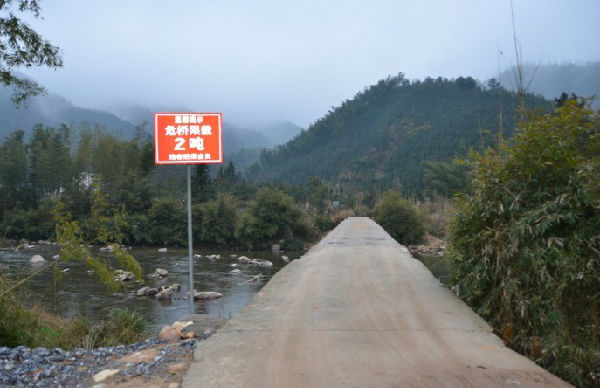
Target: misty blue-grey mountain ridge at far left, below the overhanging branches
[{"x": 53, "y": 110}]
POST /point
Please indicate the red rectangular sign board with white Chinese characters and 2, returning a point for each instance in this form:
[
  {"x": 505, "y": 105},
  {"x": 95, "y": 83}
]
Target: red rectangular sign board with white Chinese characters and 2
[{"x": 188, "y": 138}]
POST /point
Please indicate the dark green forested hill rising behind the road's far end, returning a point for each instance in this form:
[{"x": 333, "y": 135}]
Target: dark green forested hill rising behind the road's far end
[{"x": 381, "y": 137}]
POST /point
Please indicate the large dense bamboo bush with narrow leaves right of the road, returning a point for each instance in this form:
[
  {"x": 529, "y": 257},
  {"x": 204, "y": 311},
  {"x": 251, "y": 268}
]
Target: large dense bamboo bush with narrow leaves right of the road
[{"x": 525, "y": 243}]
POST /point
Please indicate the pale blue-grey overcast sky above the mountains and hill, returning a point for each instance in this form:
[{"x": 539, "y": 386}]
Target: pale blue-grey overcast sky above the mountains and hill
[{"x": 265, "y": 60}]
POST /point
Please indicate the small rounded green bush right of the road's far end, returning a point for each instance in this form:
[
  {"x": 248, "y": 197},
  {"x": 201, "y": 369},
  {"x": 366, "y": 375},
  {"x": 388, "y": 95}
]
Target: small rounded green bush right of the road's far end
[{"x": 400, "y": 219}]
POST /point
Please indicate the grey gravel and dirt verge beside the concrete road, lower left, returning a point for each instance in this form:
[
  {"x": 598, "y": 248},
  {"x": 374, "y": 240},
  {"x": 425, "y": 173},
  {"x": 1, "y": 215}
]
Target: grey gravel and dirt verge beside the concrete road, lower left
[{"x": 156, "y": 362}]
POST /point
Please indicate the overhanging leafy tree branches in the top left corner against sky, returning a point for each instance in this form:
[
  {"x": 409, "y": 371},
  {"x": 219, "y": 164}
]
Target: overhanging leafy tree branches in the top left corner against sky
[{"x": 21, "y": 46}]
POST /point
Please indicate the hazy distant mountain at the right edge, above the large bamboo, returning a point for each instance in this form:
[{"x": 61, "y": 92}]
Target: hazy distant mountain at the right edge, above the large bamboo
[{"x": 552, "y": 79}]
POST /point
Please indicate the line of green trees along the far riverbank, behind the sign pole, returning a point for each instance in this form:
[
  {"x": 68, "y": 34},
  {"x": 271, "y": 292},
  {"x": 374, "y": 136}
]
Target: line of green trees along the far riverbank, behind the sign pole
[{"x": 67, "y": 167}]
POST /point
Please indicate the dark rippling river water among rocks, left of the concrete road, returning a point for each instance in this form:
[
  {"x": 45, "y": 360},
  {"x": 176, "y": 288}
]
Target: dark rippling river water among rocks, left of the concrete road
[{"x": 80, "y": 294}]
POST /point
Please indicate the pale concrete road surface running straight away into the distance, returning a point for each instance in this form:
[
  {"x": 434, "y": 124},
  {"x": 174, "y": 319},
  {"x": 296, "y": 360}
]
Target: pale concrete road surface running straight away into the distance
[{"x": 358, "y": 311}]
